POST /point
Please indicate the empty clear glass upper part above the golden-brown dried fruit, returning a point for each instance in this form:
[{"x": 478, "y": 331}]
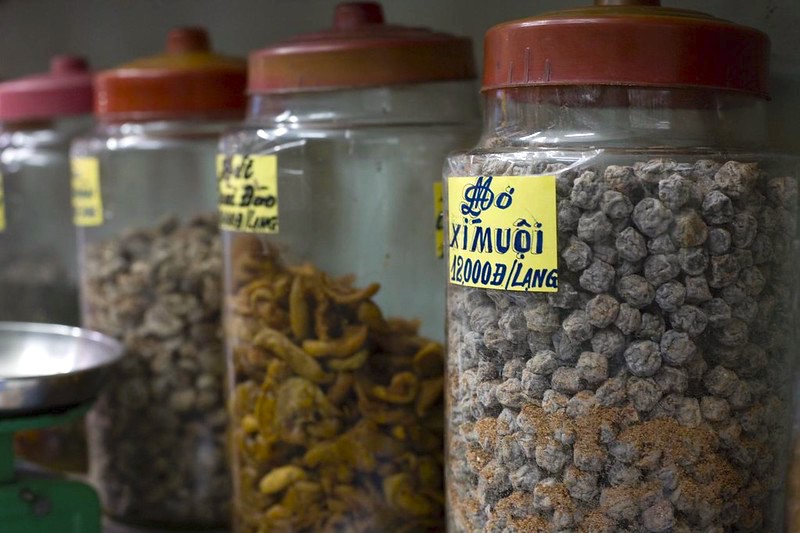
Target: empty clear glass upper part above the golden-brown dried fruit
[{"x": 360, "y": 162}]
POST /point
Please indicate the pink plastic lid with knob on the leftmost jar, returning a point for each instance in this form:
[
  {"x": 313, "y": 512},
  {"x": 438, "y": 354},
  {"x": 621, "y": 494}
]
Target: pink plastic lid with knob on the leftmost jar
[{"x": 65, "y": 90}]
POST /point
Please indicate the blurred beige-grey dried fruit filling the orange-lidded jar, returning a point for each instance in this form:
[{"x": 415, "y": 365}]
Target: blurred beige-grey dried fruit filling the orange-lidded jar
[{"x": 157, "y": 434}]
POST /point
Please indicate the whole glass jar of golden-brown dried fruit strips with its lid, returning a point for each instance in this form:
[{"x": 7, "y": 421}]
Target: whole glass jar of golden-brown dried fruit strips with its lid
[{"x": 334, "y": 296}]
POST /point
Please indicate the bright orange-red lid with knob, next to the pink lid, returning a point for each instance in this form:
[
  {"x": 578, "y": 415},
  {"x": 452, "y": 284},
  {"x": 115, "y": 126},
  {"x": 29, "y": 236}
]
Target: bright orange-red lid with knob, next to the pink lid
[{"x": 187, "y": 80}]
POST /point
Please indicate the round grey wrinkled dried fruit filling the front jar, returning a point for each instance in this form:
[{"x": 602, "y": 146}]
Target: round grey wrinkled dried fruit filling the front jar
[{"x": 652, "y": 391}]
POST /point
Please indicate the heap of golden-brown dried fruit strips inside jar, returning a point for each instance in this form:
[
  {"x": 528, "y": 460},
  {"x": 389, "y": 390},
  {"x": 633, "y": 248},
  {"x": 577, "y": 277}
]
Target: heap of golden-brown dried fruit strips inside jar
[{"x": 336, "y": 411}]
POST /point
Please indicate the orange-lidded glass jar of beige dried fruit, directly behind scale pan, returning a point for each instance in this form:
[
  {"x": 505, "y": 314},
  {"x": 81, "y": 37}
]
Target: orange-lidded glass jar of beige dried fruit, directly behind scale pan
[{"x": 151, "y": 271}]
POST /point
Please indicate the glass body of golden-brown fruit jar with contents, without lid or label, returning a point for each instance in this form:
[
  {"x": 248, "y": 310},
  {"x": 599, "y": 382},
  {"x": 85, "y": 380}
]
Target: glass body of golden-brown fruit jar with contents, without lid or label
[{"x": 356, "y": 244}]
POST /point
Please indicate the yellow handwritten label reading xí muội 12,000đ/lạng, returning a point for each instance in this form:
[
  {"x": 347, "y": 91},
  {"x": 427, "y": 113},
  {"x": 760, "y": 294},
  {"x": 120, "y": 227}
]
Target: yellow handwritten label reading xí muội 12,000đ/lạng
[{"x": 502, "y": 232}]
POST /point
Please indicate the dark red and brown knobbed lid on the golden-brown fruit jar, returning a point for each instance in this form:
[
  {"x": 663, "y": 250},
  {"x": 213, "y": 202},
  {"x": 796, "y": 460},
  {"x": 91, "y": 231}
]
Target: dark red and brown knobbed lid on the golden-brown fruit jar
[{"x": 361, "y": 50}]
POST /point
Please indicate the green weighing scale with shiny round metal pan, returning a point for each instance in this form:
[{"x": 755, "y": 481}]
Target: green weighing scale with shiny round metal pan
[{"x": 49, "y": 375}]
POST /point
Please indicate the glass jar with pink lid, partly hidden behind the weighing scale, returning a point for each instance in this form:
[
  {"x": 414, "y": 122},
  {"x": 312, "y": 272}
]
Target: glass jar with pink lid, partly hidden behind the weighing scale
[{"x": 38, "y": 264}]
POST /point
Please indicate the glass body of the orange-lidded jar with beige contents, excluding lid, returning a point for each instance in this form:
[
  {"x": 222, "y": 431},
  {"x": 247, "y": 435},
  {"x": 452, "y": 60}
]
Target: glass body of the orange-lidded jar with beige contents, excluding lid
[{"x": 151, "y": 278}]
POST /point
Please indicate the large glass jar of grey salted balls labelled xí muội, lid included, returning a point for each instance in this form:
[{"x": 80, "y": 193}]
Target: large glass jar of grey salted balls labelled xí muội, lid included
[{"x": 620, "y": 260}]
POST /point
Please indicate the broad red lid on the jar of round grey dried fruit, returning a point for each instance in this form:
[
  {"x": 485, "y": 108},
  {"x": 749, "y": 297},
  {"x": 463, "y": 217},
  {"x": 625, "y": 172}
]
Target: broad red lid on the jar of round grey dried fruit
[{"x": 628, "y": 43}]
